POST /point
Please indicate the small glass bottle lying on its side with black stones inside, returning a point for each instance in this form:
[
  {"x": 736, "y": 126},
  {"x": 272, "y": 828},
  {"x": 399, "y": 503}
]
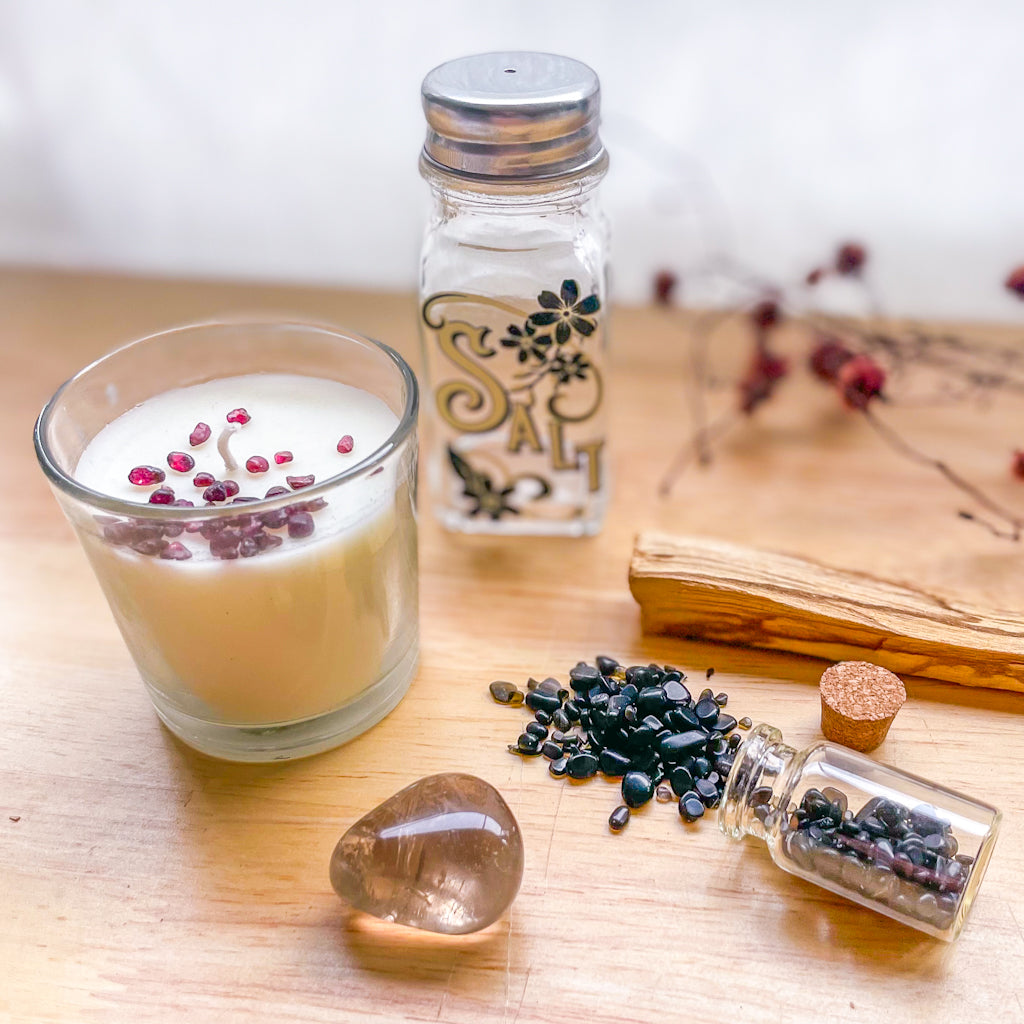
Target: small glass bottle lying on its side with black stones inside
[{"x": 881, "y": 837}]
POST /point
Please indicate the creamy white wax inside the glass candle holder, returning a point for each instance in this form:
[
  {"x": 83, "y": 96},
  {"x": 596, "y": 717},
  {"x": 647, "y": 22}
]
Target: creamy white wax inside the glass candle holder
[{"x": 296, "y": 630}]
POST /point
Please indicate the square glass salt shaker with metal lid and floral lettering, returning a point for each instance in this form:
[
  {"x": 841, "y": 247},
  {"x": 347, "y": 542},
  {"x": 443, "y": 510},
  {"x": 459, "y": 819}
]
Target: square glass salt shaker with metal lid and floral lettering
[{"x": 514, "y": 295}]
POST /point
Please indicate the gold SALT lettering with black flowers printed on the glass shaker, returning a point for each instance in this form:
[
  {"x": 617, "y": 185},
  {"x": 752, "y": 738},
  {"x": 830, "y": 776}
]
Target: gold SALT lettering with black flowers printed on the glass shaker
[{"x": 548, "y": 377}]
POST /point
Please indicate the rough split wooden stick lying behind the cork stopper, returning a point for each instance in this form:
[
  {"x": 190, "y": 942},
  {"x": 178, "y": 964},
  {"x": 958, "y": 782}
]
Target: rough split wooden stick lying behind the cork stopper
[{"x": 711, "y": 590}]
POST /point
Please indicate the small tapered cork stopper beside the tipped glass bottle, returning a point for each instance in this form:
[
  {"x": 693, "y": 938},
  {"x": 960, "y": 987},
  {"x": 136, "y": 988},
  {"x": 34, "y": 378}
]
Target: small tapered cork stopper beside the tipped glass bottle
[{"x": 860, "y": 702}]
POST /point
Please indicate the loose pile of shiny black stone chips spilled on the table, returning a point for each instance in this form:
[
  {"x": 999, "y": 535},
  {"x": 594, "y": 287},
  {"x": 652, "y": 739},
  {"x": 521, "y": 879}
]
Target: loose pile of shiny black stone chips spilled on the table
[{"x": 642, "y": 724}]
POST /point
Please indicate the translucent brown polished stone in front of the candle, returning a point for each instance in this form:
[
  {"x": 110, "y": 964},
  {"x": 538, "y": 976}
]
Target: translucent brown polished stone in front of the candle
[{"x": 445, "y": 856}]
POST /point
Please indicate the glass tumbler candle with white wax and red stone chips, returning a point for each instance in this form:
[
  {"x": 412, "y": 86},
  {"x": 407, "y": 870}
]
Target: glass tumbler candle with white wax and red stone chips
[{"x": 274, "y": 613}]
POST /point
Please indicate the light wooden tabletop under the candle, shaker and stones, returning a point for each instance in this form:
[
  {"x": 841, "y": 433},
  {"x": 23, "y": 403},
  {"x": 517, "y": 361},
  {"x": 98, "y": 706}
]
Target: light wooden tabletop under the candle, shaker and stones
[{"x": 142, "y": 882}]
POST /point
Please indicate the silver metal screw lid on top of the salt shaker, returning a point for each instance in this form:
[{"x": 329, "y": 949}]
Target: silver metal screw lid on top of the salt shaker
[{"x": 518, "y": 116}]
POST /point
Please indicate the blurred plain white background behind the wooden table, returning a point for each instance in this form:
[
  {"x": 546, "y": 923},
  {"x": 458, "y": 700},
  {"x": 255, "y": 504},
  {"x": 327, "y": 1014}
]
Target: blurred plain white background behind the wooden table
[{"x": 279, "y": 140}]
